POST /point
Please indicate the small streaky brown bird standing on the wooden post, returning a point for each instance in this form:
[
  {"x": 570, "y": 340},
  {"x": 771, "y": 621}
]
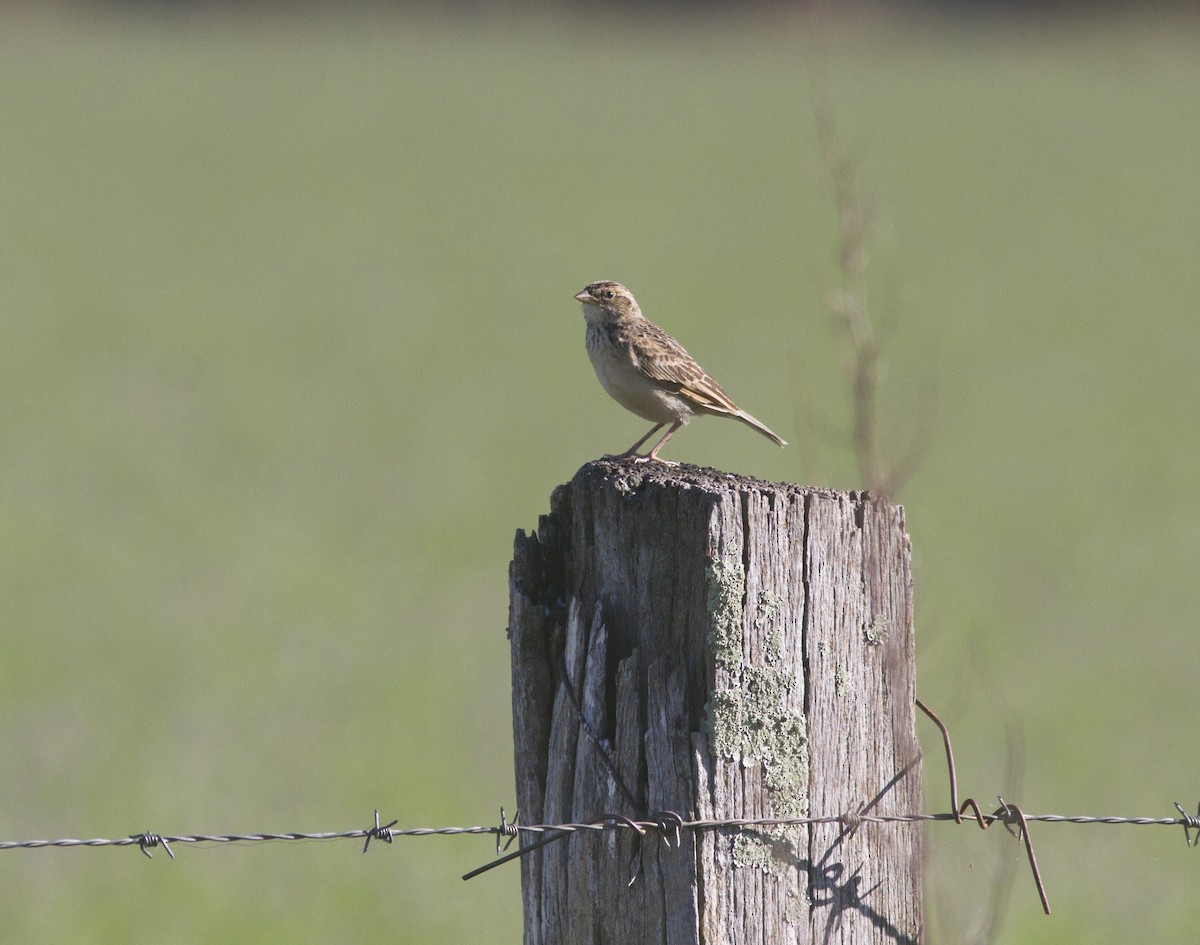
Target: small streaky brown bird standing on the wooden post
[{"x": 649, "y": 372}]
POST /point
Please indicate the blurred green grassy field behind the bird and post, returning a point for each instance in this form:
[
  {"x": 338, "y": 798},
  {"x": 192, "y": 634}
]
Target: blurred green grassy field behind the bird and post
[{"x": 290, "y": 352}]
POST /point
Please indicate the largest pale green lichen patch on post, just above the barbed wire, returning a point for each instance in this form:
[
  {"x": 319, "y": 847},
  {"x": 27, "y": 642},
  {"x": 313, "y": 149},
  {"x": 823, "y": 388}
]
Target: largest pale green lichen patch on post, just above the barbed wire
[{"x": 749, "y": 725}]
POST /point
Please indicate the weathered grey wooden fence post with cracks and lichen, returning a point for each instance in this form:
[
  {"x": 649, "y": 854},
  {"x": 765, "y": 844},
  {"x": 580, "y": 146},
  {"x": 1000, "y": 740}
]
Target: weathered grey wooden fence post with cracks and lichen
[{"x": 723, "y": 648}]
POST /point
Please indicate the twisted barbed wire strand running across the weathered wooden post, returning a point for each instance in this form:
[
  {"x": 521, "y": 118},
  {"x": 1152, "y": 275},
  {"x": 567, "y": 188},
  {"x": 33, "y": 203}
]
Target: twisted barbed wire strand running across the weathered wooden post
[{"x": 668, "y": 824}]
